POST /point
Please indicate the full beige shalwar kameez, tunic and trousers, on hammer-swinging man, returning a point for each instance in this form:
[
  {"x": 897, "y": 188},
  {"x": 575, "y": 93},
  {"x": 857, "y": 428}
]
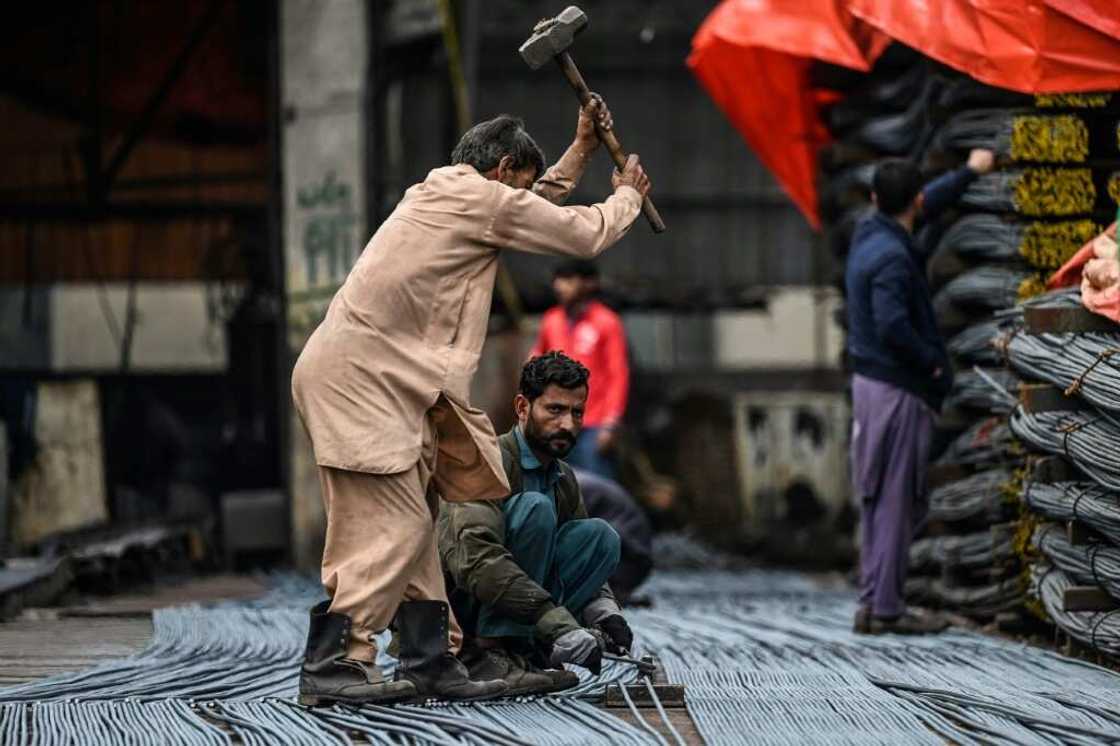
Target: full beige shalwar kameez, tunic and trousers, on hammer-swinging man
[{"x": 382, "y": 385}]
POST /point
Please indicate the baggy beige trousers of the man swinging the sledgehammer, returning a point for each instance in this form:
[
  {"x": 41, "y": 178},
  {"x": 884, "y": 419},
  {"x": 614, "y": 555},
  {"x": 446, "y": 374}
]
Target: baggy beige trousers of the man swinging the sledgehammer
[{"x": 381, "y": 546}]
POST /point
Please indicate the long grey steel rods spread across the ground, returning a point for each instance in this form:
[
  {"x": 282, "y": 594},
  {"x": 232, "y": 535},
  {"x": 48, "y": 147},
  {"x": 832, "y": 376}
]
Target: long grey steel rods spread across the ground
[{"x": 768, "y": 658}]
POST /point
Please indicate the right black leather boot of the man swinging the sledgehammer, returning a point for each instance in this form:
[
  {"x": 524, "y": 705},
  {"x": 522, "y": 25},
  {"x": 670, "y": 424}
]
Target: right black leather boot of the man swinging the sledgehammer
[{"x": 426, "y": 660}]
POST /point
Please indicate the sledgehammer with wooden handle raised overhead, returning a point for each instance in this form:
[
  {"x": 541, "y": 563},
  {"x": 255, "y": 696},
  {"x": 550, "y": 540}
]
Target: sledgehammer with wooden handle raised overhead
[{"x": 550, "y": 41}]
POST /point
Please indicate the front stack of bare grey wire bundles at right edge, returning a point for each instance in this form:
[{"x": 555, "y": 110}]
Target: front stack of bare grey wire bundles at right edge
[{"x": 1070, "y": 417}]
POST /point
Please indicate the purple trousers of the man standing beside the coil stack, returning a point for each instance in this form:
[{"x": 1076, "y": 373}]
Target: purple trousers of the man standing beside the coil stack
[{"x": 890, "y": 452}]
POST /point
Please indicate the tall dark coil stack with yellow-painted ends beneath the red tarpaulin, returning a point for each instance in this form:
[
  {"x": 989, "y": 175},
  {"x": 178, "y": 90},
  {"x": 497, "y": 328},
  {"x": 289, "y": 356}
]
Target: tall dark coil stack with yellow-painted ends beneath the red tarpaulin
[{"x": 1011, "y": 229}]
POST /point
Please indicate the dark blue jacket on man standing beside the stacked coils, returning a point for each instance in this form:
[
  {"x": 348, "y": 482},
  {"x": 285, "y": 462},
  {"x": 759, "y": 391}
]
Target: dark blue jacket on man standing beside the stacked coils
[{"x": 892, "y": 329}]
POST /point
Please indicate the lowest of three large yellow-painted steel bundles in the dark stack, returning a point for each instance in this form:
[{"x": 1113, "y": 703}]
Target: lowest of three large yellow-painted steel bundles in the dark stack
[{"x": 984, "y": 238}]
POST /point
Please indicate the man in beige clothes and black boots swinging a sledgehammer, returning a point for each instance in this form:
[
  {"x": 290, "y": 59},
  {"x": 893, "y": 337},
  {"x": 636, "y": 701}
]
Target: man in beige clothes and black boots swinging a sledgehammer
[{"x": 382, "y": 389}]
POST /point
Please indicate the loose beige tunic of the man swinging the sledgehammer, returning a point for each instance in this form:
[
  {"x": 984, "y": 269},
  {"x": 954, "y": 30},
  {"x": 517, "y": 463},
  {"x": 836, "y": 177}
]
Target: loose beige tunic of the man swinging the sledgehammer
[{"x": 407, "y": 328}]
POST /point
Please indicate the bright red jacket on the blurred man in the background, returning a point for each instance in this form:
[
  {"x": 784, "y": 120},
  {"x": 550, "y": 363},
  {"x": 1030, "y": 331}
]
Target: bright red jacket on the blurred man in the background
[{"x": 599, "y": 341}]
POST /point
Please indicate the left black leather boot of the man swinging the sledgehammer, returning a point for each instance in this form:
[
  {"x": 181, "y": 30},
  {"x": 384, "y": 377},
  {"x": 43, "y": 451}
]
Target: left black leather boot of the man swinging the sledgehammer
[{"x": 328, "y": 676}]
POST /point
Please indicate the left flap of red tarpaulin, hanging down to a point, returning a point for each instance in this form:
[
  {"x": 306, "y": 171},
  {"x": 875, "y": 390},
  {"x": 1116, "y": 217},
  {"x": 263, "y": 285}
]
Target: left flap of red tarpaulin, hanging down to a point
[{"x": 753, "y": 58}]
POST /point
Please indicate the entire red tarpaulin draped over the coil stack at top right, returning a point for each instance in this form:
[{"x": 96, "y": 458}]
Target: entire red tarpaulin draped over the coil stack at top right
[{"x": 753, "y": 57}]
